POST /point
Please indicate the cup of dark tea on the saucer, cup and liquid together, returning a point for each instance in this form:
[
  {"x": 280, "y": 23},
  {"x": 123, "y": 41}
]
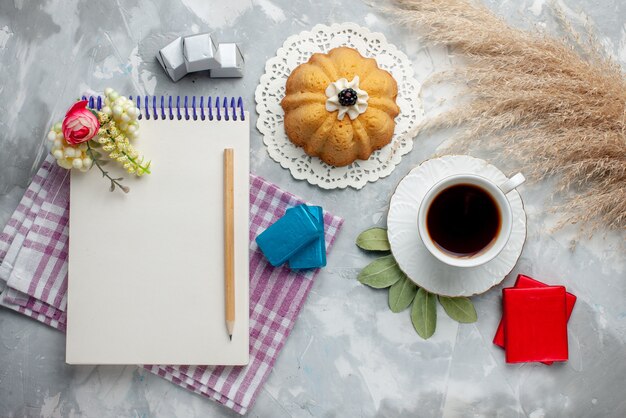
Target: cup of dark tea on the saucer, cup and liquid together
[{"x": 465, "y": 220}]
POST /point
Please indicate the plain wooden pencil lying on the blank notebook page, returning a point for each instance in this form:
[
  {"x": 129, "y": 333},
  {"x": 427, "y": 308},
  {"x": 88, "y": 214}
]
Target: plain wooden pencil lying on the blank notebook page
[{"x": 229, "y": 241}]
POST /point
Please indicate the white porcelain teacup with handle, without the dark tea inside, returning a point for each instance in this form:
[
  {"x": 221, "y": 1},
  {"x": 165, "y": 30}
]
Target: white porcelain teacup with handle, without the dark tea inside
[{"x": 497, "y": 193}]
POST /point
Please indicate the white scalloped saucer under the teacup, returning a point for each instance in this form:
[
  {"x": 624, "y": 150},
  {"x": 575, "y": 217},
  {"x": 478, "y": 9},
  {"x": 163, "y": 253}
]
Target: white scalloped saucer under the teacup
[{"x": 411, "y": 254}]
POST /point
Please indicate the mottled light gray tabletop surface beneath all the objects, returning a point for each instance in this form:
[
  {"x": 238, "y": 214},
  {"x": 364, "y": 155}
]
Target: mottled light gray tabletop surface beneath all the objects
[{"x": 348, "y": 354}]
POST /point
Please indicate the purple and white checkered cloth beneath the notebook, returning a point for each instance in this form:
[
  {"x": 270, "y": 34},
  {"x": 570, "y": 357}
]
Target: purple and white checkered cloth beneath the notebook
[{"x": 33, "y": 274}]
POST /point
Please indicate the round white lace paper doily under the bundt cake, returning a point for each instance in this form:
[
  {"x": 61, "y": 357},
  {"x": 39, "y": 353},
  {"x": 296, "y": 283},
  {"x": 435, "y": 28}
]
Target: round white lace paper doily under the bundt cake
[{"x": 297, "y": 50}]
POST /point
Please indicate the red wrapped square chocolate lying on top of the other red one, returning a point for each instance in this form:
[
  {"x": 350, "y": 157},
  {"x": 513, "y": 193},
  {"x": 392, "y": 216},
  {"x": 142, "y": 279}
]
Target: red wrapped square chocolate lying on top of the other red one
[{"x": 535, "y": 324}]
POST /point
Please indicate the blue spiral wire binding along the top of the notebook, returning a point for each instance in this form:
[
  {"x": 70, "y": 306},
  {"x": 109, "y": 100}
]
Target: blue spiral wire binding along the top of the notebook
[{"x": 221, "y": 107}]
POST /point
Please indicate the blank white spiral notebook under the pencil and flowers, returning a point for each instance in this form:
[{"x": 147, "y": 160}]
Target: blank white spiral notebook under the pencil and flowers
[{"x": 146, "y": 272}]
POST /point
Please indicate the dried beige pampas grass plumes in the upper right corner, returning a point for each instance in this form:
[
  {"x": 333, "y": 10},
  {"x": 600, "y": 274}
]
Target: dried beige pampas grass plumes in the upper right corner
[{"x": 557, "y": 106}]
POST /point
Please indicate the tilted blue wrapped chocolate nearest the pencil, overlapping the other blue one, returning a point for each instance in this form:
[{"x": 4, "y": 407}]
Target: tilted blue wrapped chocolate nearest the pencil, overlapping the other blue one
[{"x": 294, "y": 231}]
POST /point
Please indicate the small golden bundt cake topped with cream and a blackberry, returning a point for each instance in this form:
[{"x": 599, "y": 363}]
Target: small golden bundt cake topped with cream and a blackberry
[{"x": 323, "y": 91}]
